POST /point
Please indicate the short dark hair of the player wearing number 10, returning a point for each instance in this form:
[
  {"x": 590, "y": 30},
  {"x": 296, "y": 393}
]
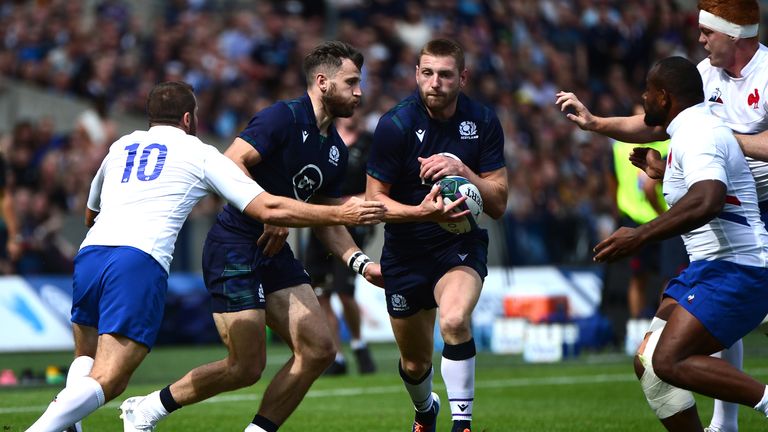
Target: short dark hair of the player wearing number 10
[{"x": 168, "y": 101}]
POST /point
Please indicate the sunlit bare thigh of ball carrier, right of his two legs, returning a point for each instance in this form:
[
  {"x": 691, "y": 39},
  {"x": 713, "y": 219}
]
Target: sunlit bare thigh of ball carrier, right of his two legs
[{"x": 457, "y": 292}]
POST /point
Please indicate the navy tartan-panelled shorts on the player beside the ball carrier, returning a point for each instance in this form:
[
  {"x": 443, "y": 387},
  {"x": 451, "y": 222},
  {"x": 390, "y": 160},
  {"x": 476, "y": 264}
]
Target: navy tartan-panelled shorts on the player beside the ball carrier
[{"x": 238, "y": 275}]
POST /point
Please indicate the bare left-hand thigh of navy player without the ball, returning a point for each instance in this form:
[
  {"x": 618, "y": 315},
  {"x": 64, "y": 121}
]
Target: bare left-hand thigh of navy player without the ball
[{"x": 243, "y": 333}]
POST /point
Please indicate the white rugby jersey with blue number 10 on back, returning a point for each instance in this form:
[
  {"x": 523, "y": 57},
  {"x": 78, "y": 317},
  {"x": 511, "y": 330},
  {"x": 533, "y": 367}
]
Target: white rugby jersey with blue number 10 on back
[{"x": 149, "y": 182}]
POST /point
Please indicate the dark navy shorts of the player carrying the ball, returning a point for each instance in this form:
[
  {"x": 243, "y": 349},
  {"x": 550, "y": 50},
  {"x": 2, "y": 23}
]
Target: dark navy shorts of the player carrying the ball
[{"x": 411, "y": 271}]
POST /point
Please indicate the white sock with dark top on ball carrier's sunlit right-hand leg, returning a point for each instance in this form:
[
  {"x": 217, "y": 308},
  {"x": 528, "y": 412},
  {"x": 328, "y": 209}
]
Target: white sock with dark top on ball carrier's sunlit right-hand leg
[{"x": 459, "y": 378}]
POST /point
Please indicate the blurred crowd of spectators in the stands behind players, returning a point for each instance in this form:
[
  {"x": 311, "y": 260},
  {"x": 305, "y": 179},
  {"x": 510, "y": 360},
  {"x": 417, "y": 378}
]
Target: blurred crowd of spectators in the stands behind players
[{"x": 243, "y": 56}]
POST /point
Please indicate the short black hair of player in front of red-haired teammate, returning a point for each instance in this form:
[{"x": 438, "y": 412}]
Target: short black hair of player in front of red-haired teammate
[{"x": 680, "y": 78}]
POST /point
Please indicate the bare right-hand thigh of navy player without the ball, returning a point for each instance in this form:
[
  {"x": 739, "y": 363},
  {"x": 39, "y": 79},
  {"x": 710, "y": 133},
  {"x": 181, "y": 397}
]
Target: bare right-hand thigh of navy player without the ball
[{"x": 295, "y": 314}]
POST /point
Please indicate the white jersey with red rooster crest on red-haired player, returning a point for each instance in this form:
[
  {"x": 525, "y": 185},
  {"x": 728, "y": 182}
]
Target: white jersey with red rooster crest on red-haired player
[{"x": 742, "y": 103}]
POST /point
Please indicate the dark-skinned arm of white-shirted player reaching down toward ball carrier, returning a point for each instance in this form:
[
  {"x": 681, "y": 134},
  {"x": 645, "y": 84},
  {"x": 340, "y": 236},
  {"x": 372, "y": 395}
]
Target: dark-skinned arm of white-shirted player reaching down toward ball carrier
[{"x": 703, "y": 201}]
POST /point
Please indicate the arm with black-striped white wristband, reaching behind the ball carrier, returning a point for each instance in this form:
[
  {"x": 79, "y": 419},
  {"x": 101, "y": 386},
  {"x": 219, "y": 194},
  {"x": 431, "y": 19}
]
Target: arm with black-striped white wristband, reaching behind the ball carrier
[{"x": 337, "y": 239}]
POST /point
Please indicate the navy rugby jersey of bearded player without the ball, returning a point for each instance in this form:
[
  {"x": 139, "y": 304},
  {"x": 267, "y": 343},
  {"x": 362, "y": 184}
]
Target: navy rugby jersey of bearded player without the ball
[{"x": 296, "y": 161}]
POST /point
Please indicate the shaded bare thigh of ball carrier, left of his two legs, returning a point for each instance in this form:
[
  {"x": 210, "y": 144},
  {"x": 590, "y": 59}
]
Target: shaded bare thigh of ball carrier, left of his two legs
[{"x": 414, "y": 335}]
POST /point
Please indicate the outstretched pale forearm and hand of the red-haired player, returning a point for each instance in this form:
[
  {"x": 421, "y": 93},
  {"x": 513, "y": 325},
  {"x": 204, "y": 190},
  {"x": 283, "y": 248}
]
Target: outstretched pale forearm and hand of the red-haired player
[{"x": 628, "y": 129}]
